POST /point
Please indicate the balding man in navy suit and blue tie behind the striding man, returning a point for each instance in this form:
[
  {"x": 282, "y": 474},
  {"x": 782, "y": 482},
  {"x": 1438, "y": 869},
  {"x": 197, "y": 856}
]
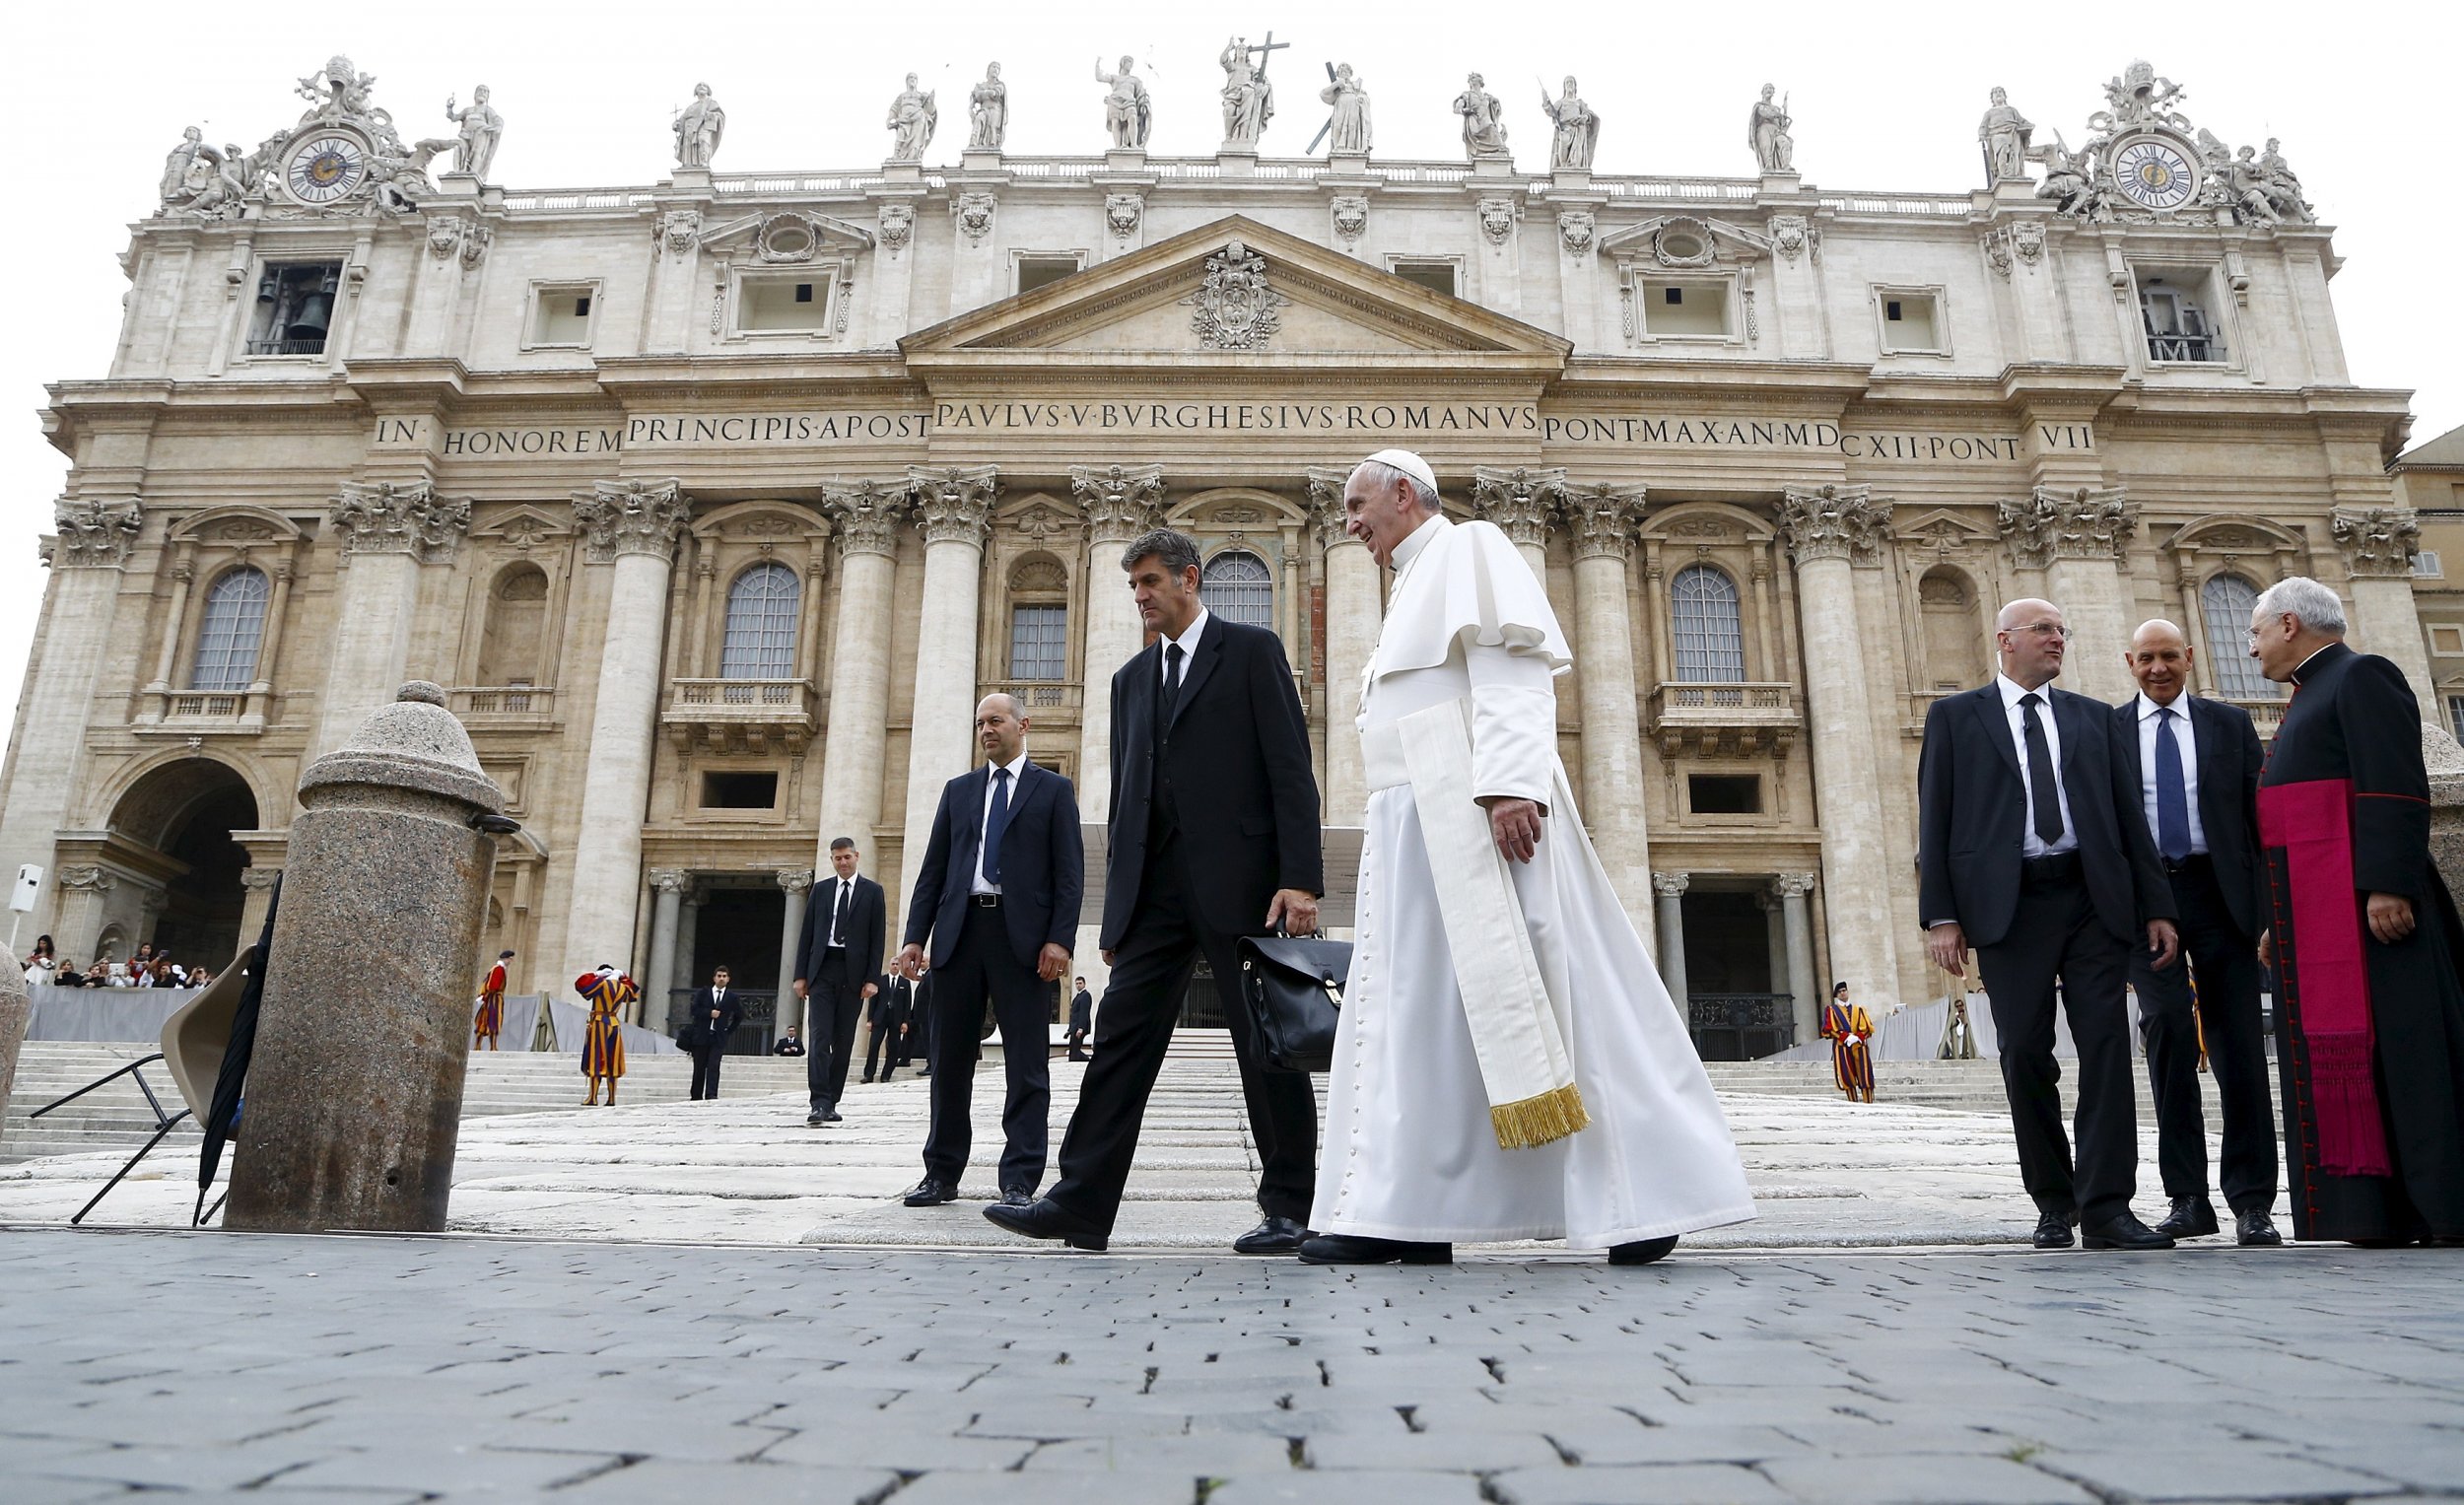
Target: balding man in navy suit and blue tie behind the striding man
[{"x": 999, "y": 900}]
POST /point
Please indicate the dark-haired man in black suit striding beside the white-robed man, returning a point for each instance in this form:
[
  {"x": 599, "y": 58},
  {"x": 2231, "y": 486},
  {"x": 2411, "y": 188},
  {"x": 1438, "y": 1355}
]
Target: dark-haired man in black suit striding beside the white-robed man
[{"x": 1214, "y": 836}]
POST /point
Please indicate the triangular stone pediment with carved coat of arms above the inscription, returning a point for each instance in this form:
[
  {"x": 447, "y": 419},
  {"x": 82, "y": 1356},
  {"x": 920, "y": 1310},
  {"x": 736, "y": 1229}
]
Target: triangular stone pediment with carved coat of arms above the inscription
[{"x": 1233, "y": 292}]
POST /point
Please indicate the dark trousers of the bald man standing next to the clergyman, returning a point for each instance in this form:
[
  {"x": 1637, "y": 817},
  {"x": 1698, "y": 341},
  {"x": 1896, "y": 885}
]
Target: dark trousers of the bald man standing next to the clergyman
[{"x": 2229, "y": 1006}]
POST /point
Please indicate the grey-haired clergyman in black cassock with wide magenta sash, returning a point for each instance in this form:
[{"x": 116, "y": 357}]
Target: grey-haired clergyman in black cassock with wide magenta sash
[{"x": 2374, "y": 1055}]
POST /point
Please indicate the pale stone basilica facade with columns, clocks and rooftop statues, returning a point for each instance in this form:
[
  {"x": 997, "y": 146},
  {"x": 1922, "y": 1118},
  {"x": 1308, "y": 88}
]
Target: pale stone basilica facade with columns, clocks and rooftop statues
[{"x": 716, "y": 504}]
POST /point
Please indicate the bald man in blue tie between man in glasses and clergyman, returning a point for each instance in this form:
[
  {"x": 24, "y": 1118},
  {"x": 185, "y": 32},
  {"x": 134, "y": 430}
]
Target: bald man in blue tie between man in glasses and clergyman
[{"x": 2199, "y": 787}]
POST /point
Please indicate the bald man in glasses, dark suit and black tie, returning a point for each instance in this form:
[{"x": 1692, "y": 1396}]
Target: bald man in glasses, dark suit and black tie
[{"x": 2034, "y": 851}]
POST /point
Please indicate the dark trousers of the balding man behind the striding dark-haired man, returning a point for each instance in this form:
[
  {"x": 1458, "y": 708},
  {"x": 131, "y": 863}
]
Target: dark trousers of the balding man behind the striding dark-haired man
[{"x": 987, "y": 972}]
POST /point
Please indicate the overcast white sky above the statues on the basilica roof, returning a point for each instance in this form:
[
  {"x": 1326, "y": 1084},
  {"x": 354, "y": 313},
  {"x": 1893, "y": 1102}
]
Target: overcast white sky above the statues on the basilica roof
[{"x": 1884, "y": 100}]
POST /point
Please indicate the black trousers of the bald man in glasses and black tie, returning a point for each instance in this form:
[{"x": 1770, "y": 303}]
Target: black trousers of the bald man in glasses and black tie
[{"x": 2059, "y": 935}]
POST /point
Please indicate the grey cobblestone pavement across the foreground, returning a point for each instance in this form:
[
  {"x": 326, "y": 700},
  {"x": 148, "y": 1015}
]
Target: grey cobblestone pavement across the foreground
[{"x": 368, "y": 1371}]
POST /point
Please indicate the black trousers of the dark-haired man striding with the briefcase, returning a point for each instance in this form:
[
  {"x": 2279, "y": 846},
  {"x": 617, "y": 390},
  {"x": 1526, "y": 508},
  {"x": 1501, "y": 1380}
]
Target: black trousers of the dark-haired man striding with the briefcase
[{"x": 1135, "y": 1028}]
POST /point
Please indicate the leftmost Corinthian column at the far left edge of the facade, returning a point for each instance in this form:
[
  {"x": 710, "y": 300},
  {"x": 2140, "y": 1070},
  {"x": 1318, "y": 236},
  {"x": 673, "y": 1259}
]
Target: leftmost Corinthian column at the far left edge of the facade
[{"x": 46, "y": 752}]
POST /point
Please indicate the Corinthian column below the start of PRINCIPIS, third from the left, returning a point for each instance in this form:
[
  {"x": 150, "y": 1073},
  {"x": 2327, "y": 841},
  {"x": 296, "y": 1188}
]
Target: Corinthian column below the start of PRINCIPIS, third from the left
[{"x": 632, "y": 526}]
